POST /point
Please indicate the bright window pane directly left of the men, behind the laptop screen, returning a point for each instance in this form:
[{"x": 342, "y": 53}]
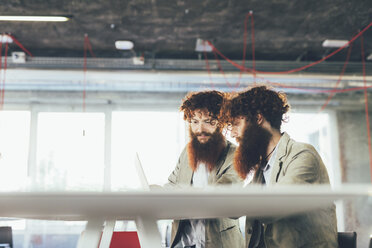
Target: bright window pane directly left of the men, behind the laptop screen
[{"x": 158, "y": 137}]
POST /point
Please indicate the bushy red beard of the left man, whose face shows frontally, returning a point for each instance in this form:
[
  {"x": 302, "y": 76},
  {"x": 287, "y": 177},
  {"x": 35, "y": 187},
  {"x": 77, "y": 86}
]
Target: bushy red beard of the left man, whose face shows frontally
[{"x": 208, "y": 152}]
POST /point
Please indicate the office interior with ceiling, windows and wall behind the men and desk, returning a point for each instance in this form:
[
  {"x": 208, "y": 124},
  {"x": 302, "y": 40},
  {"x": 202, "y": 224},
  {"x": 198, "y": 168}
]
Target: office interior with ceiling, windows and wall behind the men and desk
[{"x": 80, "y": 97}]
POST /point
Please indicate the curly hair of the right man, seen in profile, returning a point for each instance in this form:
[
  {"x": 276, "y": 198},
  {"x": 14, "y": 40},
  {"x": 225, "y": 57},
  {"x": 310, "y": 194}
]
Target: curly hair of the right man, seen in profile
[{"x": 256, "y": 100}]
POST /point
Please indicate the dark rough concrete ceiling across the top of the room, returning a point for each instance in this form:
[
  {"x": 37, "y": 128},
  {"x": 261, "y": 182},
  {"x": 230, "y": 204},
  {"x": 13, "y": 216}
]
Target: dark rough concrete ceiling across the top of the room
[{"x": 289, "y": 30}]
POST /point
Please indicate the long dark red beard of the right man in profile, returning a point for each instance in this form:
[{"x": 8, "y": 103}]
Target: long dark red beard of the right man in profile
[{"x": 252, "y": 149}]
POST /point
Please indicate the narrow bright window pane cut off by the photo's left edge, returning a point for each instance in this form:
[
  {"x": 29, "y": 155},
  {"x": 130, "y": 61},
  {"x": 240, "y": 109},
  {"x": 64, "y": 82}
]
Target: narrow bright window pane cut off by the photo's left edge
[{"x": 14, "y": 143}]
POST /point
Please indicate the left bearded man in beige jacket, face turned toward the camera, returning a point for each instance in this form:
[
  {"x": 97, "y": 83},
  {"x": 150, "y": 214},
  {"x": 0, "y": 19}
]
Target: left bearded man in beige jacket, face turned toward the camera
[{"x": 206, "y": 160}]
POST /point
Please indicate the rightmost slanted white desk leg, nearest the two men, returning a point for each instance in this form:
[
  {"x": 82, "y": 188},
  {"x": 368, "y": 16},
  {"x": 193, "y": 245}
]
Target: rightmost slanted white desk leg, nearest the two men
[{"x": 148, "y": 232}]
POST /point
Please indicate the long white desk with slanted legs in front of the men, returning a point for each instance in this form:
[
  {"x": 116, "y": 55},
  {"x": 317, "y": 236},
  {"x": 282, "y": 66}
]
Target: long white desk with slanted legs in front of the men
[{"x": 145, "y": 207}]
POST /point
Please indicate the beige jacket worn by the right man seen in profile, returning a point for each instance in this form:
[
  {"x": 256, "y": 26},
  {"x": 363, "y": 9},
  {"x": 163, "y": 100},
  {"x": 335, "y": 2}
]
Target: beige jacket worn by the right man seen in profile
[{"x": 298, "y": 163}]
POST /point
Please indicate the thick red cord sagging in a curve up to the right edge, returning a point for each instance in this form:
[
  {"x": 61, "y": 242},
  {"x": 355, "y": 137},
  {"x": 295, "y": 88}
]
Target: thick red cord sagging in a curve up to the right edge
[{"x": 296, "y": 69}]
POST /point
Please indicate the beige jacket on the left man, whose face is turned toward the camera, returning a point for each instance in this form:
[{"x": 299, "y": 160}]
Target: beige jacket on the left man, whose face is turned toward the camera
[{"x": 220, "y": 233}]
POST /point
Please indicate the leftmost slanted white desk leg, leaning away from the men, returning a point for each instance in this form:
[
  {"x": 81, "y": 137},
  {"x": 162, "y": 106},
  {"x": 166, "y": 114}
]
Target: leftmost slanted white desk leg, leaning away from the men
[{"x": 92, "y": 234}]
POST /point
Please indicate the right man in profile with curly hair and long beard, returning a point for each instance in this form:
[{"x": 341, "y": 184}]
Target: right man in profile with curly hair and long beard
[{"x": 273, "y": 158}]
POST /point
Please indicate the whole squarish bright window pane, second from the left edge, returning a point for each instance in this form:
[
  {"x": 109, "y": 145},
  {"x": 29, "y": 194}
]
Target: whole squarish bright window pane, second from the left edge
[{"x": 70, "y": 151}]
